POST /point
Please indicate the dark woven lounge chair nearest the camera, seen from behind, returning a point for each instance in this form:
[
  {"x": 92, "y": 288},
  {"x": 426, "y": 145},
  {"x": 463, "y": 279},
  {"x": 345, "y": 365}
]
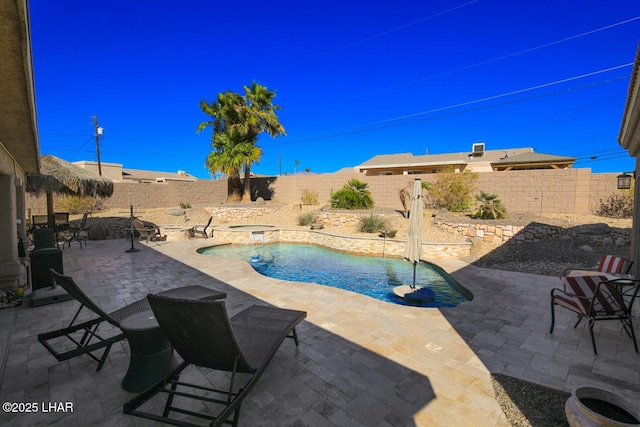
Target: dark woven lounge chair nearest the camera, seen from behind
[{"x": 203, "y": 335}]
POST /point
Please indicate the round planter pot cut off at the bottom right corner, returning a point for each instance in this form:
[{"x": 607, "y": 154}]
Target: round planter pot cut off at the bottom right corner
[{"x": 594, "y": 407}]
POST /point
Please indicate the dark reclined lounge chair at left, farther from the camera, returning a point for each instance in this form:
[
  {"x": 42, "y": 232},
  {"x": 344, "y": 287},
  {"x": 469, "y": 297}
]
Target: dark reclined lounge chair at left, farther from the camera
[{"x": 90, "y": 341}]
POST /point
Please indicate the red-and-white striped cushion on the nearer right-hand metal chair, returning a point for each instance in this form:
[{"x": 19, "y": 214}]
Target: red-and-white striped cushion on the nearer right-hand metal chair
[{"x": 608, "y": 301}]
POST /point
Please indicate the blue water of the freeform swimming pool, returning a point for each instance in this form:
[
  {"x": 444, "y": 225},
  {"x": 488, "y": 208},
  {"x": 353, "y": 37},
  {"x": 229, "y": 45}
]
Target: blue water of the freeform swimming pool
[{"x": 371, "y": 276}]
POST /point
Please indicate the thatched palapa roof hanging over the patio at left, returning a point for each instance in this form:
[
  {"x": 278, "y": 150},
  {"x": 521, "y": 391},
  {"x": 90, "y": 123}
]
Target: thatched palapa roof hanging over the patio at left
[{"x": 60, "y": 176}]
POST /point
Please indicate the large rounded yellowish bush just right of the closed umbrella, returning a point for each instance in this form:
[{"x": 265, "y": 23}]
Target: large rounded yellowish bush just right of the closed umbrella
[{"x": 453, "y": 191}]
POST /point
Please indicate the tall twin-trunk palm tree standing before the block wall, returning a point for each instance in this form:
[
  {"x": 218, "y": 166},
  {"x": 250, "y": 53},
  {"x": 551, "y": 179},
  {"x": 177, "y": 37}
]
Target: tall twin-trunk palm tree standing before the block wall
[{"x": 237, "y": 121}]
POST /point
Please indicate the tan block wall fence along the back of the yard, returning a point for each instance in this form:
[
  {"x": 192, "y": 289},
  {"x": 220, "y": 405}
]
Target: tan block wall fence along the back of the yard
[{"x": 535, "y": 191}]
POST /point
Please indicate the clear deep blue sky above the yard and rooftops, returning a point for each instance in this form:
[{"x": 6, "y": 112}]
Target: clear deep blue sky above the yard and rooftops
[{"x": 354, "y": 78}]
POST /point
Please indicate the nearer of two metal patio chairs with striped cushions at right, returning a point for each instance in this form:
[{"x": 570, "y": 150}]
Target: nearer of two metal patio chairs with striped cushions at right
[{"x": 597, "y": 298}]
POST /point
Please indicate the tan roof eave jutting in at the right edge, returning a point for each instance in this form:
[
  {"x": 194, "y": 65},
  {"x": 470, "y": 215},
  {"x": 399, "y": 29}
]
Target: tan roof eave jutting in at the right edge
[{"x": 629, "y": 136}]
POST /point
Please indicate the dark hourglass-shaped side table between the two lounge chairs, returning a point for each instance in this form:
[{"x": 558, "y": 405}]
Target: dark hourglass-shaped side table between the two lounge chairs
[{"x": 151, "y": 353}]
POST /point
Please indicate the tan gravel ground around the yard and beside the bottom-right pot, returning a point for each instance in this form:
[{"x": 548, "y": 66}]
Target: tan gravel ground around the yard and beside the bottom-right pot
[{"x": 524, "y": 403}]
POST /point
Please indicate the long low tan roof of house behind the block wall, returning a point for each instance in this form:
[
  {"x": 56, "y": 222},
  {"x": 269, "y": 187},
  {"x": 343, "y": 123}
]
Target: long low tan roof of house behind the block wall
[{"x": 408, "y": 159}]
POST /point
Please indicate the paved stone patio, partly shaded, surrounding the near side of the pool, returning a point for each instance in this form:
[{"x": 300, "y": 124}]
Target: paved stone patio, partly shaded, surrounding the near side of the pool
[{"x": 361, "y": 362}]
